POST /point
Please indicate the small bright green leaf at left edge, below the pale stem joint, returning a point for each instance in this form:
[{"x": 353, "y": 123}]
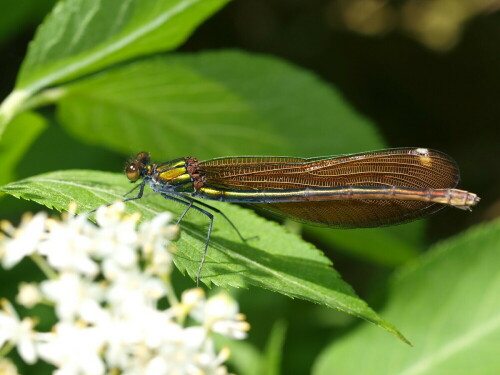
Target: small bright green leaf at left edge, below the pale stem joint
[{"x": 18, "y": 138}]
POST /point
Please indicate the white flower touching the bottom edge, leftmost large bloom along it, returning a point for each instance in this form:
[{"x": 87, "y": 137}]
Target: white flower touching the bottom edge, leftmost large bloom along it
[{"x": 73, "y": 349}]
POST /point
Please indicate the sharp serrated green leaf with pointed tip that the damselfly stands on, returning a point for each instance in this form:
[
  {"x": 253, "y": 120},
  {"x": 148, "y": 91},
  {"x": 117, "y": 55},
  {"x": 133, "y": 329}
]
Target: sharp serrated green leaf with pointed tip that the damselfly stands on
[{"x": 276, "y": 260}]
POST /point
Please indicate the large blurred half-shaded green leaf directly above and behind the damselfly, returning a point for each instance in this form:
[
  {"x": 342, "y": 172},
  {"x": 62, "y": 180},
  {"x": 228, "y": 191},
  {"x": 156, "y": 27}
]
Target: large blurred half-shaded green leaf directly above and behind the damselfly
[{"x": 214, "y": 104}]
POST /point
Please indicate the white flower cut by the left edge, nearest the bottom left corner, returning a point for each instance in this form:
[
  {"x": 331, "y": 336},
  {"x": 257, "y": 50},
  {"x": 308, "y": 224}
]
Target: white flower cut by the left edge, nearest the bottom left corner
[{"x": 19, "y": 332}]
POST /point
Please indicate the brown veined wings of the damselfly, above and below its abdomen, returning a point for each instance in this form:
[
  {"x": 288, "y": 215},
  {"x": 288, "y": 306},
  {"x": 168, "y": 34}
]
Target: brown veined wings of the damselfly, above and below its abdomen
[{"x": 405, "y": 167}]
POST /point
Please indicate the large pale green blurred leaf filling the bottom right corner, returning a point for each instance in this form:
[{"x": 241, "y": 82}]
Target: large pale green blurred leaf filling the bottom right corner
[{"x": 447, "y": 303}]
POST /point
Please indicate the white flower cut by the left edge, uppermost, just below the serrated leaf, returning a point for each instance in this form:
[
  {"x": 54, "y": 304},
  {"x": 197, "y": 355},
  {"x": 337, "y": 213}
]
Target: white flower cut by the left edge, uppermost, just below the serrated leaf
[{"x": 22, "y": 241}]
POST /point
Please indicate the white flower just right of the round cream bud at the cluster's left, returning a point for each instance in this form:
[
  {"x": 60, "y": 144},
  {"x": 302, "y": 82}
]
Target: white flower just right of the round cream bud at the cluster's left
[{"x": 74, "y": 296}]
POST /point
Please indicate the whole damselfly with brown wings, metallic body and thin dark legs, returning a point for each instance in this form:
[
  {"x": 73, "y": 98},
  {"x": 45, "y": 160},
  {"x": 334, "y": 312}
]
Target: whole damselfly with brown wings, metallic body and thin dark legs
[{"x": 370, "y": 189}]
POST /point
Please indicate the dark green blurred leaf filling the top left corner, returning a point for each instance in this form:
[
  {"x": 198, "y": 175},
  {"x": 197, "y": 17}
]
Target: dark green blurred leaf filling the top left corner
[{"x": 16, "y": 16}]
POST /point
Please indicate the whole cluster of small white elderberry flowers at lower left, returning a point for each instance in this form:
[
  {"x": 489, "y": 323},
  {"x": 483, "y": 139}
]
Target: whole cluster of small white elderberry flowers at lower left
[{"x": 106, "y": 282}]
